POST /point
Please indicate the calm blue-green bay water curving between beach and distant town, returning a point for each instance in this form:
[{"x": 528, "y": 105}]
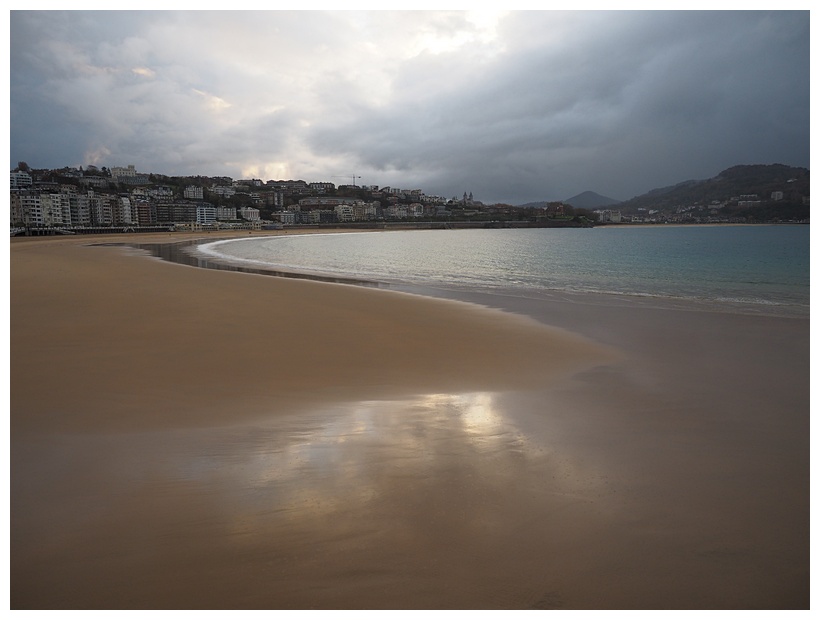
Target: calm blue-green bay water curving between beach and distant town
[{"x": 761, "y": 267}]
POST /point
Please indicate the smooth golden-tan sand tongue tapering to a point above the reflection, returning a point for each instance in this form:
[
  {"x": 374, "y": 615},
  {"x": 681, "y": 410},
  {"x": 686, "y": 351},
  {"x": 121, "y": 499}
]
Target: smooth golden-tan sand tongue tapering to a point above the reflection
[{"x": 245, "y": 320}]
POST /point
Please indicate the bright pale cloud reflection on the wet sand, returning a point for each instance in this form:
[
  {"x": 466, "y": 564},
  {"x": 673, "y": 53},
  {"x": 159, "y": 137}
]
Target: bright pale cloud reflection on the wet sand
[{"x": 352, "y": 453}]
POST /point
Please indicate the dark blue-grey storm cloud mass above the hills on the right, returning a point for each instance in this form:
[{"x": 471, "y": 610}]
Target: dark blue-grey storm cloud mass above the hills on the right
[{"x": 653, "y": 100}]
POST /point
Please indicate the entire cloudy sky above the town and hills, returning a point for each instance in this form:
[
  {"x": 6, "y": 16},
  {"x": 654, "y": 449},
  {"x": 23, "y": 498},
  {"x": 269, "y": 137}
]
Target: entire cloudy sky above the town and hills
[{"x": 512, "y": 107}]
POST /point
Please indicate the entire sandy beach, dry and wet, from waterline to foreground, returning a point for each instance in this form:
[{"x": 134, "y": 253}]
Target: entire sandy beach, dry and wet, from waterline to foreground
[{"x": 190, "y": 438}]
